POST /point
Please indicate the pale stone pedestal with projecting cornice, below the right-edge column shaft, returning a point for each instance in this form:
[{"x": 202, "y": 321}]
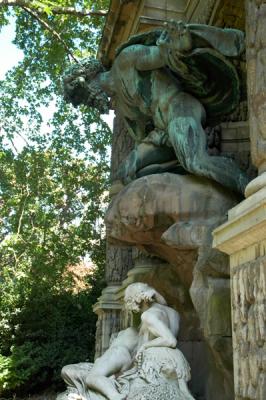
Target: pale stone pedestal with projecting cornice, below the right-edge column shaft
[{"x": 243, "y": 237}]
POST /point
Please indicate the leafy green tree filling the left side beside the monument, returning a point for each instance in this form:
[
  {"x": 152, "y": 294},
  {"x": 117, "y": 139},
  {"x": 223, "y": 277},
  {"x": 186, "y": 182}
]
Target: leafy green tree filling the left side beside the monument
[{"x": 52, "y": 195}]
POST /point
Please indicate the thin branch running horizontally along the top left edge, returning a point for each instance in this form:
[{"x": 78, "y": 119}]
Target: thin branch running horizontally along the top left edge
[{"x": 55, "y": 10}]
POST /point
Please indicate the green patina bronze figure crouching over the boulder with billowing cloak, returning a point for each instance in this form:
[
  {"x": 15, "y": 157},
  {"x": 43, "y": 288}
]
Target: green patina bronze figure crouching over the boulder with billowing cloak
[{"x": 168, "y": 85}]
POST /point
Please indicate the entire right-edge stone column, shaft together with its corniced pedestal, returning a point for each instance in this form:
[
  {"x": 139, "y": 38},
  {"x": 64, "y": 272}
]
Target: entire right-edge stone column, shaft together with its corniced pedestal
[{"x": 243, "y": 237}]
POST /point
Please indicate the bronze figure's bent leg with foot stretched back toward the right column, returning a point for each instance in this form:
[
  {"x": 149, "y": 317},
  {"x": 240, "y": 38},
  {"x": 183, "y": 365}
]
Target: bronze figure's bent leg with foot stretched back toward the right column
[{"x": 185, "y": 116}]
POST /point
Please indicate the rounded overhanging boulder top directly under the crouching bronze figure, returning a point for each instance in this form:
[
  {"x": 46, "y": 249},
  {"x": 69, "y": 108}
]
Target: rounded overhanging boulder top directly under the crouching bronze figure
[{"x": 156, "y": 213}]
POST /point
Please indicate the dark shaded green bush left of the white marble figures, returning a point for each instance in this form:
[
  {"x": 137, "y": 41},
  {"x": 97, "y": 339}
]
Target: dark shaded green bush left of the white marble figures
[{"x": 52, "y": 331}]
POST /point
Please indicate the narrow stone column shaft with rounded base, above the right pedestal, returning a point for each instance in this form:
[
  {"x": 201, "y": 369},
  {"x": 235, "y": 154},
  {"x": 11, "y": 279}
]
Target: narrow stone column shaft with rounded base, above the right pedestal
[{"x": 256, "y": 80}]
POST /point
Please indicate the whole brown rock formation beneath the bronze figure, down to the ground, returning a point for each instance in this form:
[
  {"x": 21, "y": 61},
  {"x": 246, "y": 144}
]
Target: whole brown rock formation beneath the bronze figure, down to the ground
[{"x": 157, "y": 215}]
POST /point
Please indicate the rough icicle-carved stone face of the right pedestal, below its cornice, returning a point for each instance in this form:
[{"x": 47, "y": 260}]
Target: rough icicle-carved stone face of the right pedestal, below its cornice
[{"x": 248, "y": 287}]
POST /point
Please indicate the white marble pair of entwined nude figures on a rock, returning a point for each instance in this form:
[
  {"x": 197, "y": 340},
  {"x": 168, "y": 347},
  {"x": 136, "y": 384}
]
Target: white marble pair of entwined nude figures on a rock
[{"x": 141, "y": 363}]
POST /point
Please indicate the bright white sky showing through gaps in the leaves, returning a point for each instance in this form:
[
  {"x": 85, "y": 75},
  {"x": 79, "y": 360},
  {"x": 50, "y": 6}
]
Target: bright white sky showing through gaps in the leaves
[{"x": 10, "y": 55}]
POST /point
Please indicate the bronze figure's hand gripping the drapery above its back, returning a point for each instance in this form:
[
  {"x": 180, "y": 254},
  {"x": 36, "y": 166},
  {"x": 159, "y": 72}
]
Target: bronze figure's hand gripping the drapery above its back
[{"x": 176, "y": 36}]
